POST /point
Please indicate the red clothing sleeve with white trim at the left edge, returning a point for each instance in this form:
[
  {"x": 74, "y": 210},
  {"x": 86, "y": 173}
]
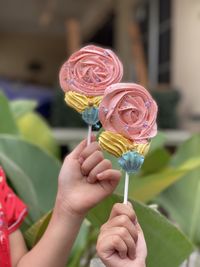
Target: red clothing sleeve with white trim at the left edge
[{"x": 12, "y": 213}]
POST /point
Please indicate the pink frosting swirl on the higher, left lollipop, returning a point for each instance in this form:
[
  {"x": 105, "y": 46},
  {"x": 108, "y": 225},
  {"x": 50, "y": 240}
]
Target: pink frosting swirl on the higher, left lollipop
[{"x": 90, "y": 70}]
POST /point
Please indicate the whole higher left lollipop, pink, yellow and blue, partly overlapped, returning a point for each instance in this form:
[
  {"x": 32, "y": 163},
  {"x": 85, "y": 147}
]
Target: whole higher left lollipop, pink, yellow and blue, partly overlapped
[{"x": 84, "y": 78}]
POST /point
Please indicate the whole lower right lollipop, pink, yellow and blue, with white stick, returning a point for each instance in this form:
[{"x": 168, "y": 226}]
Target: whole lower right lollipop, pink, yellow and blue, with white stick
[{"x": 128, "y": 114}]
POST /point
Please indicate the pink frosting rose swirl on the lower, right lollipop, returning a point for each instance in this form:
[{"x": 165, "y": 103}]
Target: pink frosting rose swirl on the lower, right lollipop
[{"x": 129, "y": 109}]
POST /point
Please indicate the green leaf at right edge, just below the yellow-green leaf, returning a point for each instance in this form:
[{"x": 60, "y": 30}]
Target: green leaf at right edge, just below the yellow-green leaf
[{"x": 182, "y": 202}]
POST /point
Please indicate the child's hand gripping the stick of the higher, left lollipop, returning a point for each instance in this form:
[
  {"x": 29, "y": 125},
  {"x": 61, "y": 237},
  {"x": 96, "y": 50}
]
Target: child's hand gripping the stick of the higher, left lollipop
[{"x": 85, "y": 179}]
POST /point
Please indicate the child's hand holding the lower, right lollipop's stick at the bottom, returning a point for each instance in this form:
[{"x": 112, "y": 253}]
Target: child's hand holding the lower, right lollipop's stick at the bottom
[{"x": 121, "y": 241}]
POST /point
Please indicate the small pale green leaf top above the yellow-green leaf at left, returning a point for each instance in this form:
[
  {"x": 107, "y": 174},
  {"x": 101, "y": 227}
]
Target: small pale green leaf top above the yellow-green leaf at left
[{"x": 21, "y": 107}]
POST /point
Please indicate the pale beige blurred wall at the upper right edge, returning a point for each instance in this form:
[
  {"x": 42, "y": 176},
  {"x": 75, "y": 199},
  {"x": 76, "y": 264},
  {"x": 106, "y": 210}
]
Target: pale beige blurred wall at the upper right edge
[{"x": 186, "y": 53}]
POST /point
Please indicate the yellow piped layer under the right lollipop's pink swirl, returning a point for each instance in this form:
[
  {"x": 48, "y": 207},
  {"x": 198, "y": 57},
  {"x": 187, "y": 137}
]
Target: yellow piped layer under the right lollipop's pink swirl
[{"x": 117, "y": 145}]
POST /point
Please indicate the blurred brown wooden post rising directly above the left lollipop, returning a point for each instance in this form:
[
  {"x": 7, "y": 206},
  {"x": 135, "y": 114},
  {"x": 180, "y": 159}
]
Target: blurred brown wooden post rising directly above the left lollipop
[{"x": 73, "y": 35}]
